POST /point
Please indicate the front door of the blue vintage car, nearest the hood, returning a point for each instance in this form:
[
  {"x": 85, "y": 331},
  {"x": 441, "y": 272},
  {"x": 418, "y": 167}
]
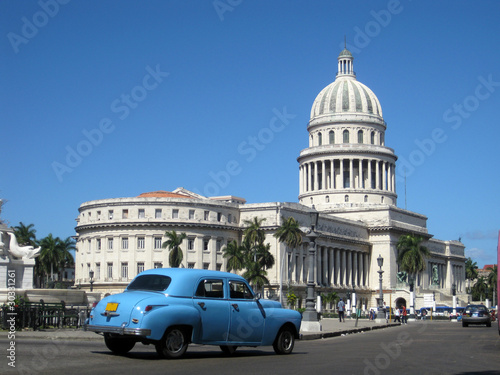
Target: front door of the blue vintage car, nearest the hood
[{"x": 247, "y": 315}]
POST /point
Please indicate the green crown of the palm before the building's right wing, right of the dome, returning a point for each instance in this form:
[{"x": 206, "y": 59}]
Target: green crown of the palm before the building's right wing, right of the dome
[{"x": 411, "y": 254}]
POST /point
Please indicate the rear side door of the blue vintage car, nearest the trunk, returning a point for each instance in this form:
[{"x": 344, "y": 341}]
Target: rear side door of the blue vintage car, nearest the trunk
[{"x": 213, "y": 307}]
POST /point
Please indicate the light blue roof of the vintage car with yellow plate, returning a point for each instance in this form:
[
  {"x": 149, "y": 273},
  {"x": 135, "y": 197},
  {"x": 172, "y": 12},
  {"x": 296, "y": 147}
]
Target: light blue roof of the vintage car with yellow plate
[{"x": 184, "y": 280}]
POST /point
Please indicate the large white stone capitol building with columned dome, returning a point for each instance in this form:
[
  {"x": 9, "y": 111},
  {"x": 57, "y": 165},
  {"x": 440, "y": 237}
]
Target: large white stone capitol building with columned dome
[{"x": 346, "y": 174}]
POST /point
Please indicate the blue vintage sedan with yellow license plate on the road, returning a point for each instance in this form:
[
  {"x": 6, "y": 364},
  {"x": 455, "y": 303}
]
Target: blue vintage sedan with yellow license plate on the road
[{"x": 172, "y": 307}]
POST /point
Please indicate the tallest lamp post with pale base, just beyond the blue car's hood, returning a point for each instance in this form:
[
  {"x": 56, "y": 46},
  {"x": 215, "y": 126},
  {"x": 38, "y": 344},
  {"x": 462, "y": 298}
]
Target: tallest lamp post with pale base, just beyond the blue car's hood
[{"x": 310, "y": 322}]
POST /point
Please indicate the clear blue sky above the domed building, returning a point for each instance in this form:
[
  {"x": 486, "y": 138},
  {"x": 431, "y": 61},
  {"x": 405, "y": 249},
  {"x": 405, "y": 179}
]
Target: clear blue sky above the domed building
[{"x": 106, "y": 99}]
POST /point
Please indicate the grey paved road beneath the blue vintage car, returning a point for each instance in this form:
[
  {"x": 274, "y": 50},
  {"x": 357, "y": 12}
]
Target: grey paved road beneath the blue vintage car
[{"x": 417, "y": 348}]
